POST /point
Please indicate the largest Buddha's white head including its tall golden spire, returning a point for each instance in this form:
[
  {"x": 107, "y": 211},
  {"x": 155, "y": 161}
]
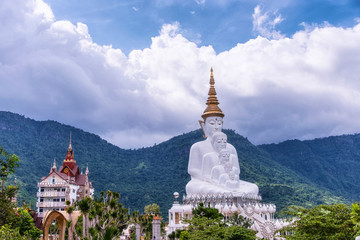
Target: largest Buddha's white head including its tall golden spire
[{"x": 212, "y": 116}]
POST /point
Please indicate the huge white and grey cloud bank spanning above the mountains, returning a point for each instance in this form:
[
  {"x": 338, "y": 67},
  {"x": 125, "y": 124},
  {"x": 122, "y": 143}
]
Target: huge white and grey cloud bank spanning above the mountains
[{"x": 302, "y": 87}]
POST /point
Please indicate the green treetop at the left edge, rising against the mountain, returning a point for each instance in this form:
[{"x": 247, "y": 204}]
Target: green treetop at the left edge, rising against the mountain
[{"x": 8, "y": 164}]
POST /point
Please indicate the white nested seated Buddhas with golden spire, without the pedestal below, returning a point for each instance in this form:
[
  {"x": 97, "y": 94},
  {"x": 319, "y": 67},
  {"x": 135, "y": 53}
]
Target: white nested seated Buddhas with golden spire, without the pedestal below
[{"x": 213, "y": 163}]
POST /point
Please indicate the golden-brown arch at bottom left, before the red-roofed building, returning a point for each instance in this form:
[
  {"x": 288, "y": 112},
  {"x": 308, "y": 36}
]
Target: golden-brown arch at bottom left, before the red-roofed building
[{"x": 61, "y": 217}]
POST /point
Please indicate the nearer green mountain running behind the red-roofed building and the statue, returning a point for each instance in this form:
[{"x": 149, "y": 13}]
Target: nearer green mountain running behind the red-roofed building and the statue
[{"x": 147, "y": 175}]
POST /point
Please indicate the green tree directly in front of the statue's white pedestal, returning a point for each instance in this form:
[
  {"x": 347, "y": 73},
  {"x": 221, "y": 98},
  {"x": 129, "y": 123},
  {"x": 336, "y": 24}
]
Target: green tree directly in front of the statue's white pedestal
[{"x": 208, "y": 223}]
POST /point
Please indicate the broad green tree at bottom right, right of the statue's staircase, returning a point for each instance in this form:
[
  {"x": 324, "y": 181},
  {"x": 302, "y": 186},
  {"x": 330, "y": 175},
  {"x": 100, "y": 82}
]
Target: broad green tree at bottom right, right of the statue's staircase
[{"x": 322, "y": 222}]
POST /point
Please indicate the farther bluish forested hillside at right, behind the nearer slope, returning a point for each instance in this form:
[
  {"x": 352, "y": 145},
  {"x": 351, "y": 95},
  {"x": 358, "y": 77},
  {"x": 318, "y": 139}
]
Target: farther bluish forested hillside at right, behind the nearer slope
[{"x": 332, "y": 162}]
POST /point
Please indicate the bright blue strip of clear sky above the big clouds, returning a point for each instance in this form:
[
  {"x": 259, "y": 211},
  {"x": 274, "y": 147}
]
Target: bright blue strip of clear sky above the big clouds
[{"x": 129, "y": 25}]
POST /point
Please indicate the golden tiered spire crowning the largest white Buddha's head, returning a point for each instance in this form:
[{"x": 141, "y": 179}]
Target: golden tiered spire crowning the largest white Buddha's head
[{"x": 212, "y": 102}]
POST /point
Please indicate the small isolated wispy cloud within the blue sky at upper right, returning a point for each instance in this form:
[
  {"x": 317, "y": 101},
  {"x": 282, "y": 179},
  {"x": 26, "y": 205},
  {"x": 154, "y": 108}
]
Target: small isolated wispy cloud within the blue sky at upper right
[{"x": 264, "y": 25}]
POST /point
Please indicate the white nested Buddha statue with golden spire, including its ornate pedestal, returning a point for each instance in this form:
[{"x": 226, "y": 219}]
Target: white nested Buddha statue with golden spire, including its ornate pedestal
[{"x": 215, "y": 179}]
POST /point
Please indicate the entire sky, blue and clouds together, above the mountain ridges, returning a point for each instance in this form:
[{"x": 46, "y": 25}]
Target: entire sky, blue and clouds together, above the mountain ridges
[{"x": 136, "y": 72}]
